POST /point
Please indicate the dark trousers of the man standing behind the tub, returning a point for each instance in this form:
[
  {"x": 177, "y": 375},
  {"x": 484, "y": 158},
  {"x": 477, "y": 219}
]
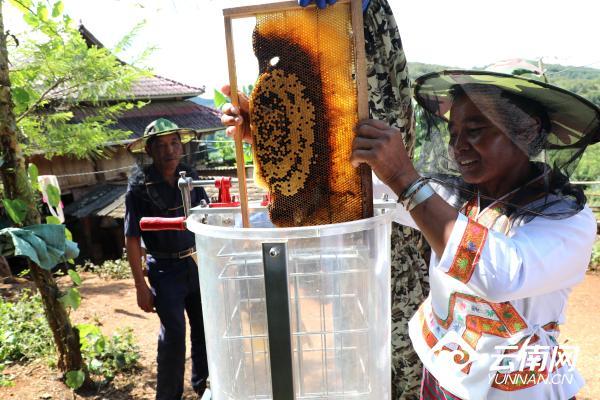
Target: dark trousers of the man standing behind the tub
[{"x": 177, "y": 290}]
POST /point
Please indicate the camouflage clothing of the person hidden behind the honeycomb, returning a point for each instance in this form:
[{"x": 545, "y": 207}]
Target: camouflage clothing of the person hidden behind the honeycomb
[{"x": 390, "y": 101}]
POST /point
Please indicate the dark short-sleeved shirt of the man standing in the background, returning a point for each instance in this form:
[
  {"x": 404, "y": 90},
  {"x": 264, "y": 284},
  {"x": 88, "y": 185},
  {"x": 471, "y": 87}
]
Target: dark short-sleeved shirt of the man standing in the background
[{"x": 148, "y": 195}]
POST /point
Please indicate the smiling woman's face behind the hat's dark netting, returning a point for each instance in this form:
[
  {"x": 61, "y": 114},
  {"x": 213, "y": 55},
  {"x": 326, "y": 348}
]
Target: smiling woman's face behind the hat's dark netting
[{"x": 484, "y": 152}]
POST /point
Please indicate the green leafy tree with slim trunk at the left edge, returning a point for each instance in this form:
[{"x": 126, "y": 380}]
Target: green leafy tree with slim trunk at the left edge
[{"x": 50, "y": 77}]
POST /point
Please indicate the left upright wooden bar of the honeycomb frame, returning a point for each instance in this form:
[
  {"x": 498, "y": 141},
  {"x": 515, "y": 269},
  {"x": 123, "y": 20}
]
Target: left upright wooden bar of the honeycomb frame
[{"x": 240, "y": 132}]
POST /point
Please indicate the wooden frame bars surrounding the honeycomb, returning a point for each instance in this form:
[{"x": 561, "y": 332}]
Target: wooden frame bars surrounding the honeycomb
[{"x": 361, "y": 83}]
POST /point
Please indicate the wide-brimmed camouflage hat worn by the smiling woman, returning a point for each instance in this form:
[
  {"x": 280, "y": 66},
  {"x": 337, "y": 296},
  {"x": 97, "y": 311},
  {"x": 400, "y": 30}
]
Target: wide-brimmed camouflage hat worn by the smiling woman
[{"x": 575, "y": 121}]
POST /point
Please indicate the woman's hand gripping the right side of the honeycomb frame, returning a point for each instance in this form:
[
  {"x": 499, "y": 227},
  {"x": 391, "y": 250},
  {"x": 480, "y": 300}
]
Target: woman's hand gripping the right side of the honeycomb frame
[{"x": 382, "y": 147}]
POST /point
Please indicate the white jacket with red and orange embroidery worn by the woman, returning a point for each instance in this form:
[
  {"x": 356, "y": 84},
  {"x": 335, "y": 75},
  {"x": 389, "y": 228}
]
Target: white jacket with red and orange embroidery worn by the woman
[{"x": 489, "y": 328}]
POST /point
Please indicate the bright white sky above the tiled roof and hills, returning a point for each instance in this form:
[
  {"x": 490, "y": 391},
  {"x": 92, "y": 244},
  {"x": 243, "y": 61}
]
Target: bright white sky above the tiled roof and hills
[{"x": 190, "y": 42}]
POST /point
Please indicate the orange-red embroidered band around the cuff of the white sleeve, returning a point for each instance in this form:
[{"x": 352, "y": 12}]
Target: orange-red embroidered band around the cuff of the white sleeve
[{"x": 469, "y": 251}]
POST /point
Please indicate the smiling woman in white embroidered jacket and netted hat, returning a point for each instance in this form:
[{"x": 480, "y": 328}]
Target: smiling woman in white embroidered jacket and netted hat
[{"x": 510, "y": 236}]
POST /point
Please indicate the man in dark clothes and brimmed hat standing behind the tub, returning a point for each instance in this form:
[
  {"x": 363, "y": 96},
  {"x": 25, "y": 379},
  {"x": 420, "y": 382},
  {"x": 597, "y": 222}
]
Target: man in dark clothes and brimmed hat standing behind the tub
[{"x": 172, "y": 270}]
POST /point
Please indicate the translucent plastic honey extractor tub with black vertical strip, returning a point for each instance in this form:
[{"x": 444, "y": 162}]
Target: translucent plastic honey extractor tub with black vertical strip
[{"x": 333, "y": 312}]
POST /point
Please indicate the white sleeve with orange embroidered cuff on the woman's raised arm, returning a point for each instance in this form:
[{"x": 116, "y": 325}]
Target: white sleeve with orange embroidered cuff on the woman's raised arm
[{"x": 542, "y": 256}]
